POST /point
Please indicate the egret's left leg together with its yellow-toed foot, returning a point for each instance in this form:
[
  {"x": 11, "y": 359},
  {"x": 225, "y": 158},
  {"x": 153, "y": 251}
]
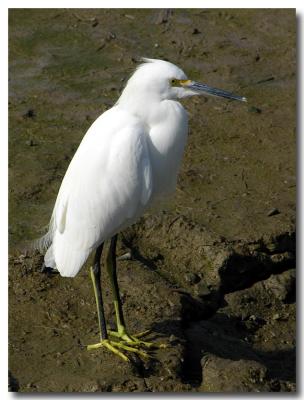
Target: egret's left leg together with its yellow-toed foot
[{"x": 104, "y": 340}]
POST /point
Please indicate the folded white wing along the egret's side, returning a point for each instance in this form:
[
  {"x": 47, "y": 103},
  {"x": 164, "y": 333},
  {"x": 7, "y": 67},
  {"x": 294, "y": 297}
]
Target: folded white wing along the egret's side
[{"x": 107, "y": 186}]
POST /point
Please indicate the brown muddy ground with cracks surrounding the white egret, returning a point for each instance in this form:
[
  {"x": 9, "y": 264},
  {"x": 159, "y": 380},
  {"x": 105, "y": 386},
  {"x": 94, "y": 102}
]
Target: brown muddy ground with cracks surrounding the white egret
[{"x": 212, "y": 272}]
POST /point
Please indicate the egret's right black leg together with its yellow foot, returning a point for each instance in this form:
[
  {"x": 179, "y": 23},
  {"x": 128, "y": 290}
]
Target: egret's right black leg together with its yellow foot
[{"x": 121, "y": 332}]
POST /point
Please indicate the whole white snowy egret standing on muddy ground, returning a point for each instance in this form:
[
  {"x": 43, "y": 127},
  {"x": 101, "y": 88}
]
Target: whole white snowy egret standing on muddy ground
[{"x": 128, "y": 159}]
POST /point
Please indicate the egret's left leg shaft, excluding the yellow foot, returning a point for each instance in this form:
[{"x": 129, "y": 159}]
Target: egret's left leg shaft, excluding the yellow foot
[{"x": 96, "y": 278}]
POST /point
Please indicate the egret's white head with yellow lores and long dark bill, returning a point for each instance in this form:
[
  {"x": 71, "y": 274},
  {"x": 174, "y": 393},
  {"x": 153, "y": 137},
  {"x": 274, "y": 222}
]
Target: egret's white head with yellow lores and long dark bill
[{"x": 163, "y": 80}]
